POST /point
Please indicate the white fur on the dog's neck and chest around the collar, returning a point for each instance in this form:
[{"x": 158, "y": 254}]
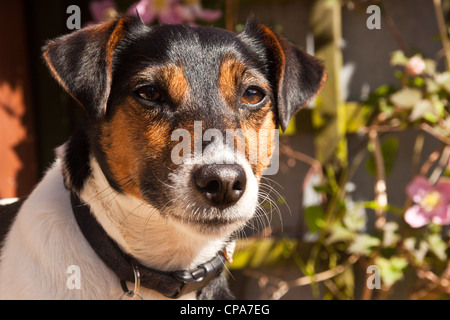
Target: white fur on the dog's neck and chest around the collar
[{"x": 45, "y": 255}]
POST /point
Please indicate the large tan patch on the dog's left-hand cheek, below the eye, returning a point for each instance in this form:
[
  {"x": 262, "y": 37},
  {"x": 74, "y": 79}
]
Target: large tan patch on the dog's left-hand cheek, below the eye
[{"x": 130, "y": 140}]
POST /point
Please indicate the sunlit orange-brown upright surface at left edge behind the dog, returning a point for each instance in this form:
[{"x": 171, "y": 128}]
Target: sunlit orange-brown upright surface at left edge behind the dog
[{"x": 18, "y": 161}]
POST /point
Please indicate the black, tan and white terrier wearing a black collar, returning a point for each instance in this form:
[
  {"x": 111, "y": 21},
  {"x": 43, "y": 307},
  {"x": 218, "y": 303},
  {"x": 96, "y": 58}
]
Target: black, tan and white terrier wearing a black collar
[{"x": 115, "y": 217}]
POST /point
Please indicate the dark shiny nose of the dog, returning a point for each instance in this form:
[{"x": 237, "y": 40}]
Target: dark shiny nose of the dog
[{"x": 221, "y": 184}]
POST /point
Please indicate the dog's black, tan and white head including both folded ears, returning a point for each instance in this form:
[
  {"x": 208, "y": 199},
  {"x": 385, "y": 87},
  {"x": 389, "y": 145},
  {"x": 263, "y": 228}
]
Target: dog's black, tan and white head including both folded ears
[{"x": 141, "y": 84}]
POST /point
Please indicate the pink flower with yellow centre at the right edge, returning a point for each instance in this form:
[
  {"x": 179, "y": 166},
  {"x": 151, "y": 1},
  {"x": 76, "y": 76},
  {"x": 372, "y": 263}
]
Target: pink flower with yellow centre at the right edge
[{"x": 431, "y": 203}]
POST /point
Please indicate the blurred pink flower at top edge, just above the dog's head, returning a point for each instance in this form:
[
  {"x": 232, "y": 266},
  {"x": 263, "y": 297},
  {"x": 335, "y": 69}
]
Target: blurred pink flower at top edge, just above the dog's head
[{"x": 165, "y": 11}]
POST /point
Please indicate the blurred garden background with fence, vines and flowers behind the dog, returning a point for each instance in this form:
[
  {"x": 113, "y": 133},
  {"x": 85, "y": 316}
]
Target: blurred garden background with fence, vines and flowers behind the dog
[{"x": 346, "y": 196}]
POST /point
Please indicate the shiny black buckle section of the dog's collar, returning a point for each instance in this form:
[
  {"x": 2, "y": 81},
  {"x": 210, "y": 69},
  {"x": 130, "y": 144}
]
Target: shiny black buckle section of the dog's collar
[{"x": 198, "y": 278}]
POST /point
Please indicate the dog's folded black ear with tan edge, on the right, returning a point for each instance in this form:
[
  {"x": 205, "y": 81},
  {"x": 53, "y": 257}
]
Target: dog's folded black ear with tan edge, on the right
[{"x": 296, "y": 77}]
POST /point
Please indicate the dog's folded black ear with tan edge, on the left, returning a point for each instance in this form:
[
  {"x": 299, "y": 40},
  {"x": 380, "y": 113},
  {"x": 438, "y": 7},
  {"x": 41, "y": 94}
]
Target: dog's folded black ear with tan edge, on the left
[{"x": 82, "y": 63}]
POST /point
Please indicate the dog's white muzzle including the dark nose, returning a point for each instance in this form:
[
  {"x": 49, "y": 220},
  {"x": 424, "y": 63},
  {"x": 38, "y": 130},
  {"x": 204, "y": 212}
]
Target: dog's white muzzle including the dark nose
[{"x": 217, "y": 192}]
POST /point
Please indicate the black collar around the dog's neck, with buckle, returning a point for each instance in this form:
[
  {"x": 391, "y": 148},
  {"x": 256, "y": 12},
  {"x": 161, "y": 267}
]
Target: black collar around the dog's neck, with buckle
[{"x": 170, "y": 284}]
